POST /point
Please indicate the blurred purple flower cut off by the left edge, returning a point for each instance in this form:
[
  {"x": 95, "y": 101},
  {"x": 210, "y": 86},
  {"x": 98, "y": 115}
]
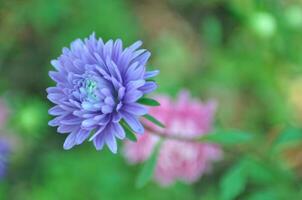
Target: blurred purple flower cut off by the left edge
[{"x": 4, "y": 153}]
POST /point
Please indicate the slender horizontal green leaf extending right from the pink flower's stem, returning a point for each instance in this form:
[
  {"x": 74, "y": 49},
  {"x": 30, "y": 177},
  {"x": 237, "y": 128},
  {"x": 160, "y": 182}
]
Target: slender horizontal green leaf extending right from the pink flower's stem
[{"x": 227, "y": 138}]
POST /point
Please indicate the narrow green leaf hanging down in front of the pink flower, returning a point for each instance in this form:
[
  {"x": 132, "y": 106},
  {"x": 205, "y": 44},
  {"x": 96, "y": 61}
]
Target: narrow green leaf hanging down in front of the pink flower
[{"x": 147, "y": 171}]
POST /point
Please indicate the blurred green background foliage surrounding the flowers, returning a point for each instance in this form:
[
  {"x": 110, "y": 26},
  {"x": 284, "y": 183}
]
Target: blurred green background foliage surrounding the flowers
[{"x": 245, "y": 54}]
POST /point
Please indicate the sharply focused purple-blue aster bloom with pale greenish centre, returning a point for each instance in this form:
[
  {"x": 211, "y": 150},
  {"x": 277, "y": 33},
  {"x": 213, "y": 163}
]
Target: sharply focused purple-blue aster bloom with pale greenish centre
[{"x": 97, "y": 85}]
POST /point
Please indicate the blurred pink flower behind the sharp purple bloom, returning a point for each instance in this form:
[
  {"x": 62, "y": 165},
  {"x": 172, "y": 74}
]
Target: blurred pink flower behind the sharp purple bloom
[{"x": 178, "y": 160}]
